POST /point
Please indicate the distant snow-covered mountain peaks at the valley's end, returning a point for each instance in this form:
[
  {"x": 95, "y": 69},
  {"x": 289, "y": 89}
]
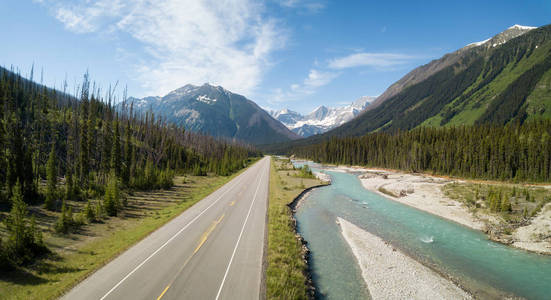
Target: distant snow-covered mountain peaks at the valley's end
[{"x": 322, "y": 118}]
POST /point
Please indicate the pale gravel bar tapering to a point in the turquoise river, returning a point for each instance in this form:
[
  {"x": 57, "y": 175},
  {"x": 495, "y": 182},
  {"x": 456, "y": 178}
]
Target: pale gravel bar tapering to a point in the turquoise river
[{"x": 390, "y": 274}]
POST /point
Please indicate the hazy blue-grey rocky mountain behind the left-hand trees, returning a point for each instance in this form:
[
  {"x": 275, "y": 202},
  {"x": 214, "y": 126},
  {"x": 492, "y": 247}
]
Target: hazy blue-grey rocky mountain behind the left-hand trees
[{"x": 218, "y": 112}]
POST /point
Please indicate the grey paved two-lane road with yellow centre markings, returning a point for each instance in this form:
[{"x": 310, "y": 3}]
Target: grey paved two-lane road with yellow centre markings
[{"x": 214, "y": 250}]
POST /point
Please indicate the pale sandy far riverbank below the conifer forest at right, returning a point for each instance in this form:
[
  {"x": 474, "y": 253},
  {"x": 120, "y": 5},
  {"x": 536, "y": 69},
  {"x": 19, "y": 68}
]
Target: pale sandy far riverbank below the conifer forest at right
[{"x": 531, "y": 232}]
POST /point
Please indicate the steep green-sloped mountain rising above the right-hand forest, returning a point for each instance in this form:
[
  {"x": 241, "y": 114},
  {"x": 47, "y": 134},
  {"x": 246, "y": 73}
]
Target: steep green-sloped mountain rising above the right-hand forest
[{"x": 504, "y": 79}]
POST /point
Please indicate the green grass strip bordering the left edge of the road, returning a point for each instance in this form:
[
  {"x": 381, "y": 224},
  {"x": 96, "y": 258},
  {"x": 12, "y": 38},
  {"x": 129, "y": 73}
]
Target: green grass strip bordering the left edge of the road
[{"x": 77, "y": 255}]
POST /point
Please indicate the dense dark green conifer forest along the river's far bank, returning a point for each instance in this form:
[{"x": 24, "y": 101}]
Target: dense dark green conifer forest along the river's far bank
[{"x": 514, "y": 152}]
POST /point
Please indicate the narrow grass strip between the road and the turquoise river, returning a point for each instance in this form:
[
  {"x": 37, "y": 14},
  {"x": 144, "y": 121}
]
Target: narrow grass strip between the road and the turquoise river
[{"x": 286, "y": 275}]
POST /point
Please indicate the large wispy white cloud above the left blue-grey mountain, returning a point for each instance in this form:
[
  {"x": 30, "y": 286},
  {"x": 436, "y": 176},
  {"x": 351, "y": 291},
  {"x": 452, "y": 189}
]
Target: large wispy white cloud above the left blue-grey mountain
[{"x": 227, "y": 43}]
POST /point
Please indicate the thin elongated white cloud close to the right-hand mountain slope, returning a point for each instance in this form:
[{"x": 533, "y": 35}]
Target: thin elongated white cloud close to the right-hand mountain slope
[{"x": 380, "y": 60}]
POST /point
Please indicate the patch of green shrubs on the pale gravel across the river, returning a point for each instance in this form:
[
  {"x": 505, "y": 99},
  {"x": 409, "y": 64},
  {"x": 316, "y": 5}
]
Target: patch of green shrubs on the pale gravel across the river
[{"x": 513, "y": 205}]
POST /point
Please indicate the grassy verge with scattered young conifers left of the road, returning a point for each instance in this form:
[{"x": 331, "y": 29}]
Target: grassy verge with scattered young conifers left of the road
[{"x": 83, "y": 236}]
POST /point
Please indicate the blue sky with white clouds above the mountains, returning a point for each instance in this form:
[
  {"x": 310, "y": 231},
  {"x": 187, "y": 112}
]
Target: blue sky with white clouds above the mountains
[{"x": 296, "y": 54}]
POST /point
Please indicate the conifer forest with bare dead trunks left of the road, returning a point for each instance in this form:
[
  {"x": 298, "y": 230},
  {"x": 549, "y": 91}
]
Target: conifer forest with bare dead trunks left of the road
[{"x": 56, "y": 147}]
